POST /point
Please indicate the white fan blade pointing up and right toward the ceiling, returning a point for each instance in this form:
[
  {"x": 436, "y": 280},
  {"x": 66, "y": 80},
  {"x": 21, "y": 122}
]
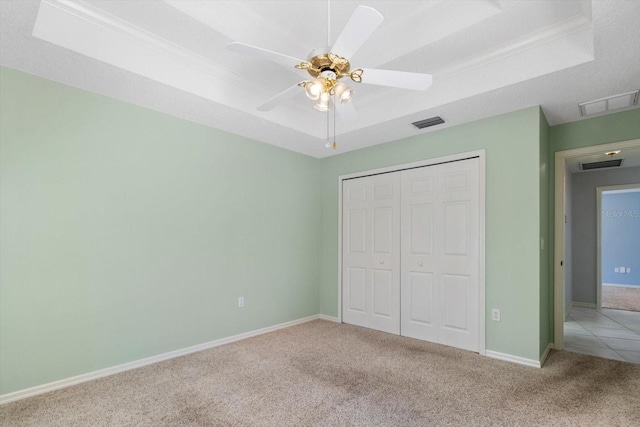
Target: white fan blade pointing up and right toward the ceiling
[{"x": 359, "y": 28}]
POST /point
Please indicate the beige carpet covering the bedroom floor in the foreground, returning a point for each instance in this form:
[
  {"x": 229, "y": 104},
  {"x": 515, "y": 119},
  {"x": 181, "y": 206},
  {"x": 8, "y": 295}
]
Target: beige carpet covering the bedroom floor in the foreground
[{"x": 327, "y": 374}]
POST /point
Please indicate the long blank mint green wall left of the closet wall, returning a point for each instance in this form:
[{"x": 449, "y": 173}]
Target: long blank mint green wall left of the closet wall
[{"x": 126, "y": 233}]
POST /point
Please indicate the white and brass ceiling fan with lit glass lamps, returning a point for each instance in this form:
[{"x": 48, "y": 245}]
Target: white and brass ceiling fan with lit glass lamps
[{"x": 327, "y": 66}]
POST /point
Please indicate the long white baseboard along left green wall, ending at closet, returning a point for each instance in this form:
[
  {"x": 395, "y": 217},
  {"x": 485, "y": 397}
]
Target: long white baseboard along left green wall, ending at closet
[{"x": 67, "y": 382}]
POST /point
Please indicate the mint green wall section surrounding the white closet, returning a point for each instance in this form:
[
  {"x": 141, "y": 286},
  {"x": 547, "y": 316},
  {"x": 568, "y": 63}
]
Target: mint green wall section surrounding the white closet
[{"x": 513, "y": 217}]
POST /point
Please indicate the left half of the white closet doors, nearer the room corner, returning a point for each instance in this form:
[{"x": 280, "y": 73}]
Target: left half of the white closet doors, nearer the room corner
[{"x": 371, "y": 252}]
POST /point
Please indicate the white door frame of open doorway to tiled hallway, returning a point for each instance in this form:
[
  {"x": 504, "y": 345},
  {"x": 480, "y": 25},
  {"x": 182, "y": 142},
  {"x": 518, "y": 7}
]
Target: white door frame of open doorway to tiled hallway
[{"x": 558, "y": 272}]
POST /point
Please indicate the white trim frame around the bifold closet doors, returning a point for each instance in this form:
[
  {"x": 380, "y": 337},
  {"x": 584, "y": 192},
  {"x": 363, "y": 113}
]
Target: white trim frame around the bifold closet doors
[{"x": 480, "y": 154}]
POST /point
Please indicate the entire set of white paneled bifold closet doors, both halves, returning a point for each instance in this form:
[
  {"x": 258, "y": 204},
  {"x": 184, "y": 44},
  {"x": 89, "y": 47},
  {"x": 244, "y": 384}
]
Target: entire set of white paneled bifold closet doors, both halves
[{"x": 411, "y": 253}]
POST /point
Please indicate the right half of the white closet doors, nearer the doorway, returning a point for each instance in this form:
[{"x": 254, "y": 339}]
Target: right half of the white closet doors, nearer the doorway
[{"x": 440, "y": 250}]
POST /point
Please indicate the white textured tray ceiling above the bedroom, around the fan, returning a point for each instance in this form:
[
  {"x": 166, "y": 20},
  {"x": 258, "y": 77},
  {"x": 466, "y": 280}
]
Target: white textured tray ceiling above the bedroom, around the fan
[{"x": 487, "y": 57}]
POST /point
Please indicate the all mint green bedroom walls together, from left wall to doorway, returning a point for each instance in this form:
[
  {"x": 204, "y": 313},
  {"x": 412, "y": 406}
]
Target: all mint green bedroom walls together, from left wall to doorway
[{"x": 126, "y": 233}]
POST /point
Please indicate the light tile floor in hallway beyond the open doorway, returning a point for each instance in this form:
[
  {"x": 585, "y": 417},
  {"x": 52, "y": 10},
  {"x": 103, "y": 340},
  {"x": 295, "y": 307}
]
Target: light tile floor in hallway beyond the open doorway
[{"x": 612, "y": 334}]
